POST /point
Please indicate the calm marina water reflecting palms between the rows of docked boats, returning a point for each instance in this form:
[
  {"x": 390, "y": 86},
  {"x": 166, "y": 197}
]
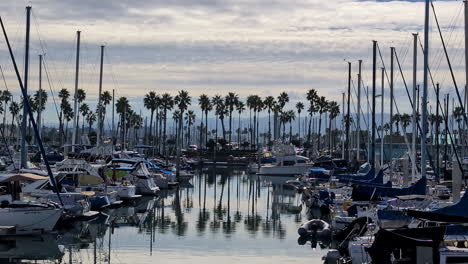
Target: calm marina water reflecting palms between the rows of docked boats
[{"x": 223, "y": 216}]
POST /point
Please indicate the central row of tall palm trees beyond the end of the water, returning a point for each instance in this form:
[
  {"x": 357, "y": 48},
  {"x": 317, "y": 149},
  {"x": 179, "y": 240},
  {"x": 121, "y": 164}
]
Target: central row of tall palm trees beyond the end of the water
[{"x": 224, "y": 109}]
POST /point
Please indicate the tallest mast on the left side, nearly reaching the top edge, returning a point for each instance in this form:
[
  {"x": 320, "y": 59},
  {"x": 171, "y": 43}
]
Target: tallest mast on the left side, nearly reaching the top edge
[{"x": 25, "y": 98}]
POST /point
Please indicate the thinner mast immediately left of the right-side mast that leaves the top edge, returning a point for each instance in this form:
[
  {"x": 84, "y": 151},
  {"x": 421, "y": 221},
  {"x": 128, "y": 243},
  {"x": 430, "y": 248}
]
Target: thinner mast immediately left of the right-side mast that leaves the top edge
[{"x": 413, "y": 119}]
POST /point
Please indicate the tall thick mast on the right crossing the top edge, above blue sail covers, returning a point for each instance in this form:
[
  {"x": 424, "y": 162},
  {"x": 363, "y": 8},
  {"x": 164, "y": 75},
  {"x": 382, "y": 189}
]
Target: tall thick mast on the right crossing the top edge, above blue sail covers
[{"x": 424, "y": 96}]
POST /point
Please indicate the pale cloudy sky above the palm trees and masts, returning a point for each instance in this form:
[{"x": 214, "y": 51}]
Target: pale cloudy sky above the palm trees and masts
[{"x": 248, "y": 47}]
